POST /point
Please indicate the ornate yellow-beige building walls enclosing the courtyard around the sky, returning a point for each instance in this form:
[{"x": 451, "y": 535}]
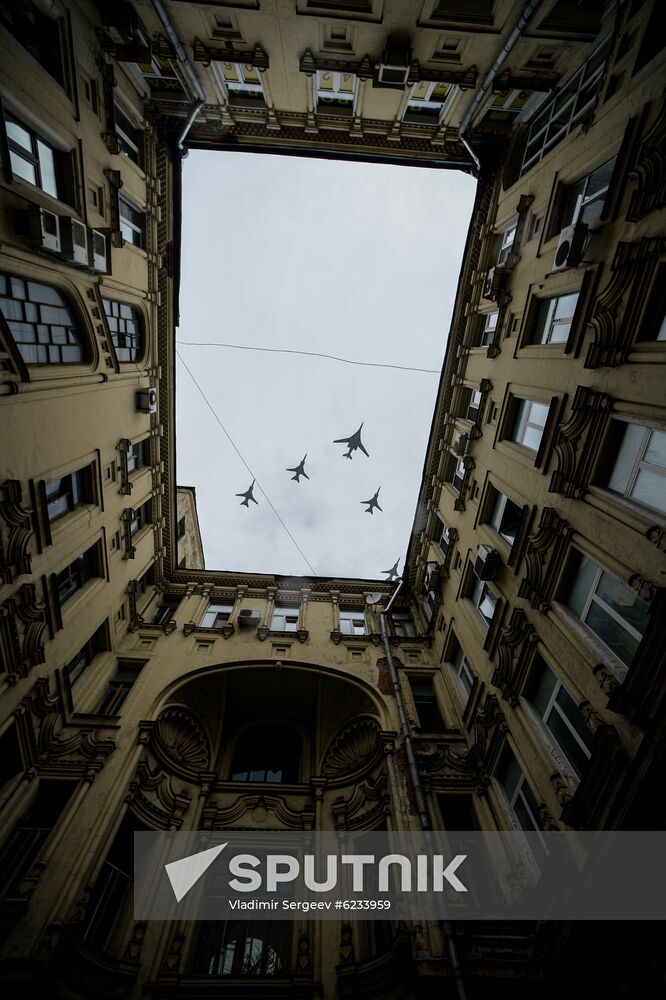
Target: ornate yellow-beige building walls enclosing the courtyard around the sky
[{"x": 142, "y": 691}]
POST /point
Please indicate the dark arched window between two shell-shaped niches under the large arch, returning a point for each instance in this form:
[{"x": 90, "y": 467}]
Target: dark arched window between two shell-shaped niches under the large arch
[{"x": 267, "y": 753}]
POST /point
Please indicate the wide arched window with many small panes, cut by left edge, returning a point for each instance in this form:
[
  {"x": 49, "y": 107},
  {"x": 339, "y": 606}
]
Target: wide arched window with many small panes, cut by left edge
[{"x": 41, "y": 322}]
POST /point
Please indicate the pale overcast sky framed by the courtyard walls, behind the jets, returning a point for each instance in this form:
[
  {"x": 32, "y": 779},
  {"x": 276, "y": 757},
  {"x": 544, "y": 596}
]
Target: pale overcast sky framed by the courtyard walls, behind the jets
[{"x": 355, "y": 260}]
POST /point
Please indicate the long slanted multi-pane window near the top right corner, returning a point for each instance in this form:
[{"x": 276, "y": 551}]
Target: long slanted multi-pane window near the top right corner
[{"x": 571, "y": 105}]
